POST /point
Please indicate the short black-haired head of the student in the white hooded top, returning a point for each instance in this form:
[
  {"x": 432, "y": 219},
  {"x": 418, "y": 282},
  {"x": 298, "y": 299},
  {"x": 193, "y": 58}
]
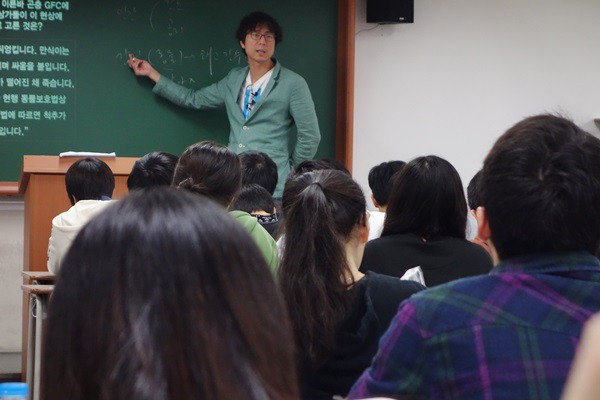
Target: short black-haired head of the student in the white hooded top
[{"x": 89, "y": 179}]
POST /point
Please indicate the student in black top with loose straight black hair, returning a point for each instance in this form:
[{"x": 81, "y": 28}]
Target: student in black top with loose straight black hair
[{"x": 425, "y": 227}]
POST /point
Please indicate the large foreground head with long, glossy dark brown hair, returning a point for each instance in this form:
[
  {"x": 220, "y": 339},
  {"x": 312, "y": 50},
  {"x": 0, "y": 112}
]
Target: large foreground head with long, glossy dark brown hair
[{"x": 164, "y": 296}]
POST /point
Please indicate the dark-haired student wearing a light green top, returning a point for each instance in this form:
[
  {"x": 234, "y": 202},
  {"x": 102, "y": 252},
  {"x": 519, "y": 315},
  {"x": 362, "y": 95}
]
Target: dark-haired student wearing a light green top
[{"x": 214, "y": 171}]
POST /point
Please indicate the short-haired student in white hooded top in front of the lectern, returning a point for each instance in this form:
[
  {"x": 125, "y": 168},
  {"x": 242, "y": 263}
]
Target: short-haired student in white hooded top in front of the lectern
[{"x": 90, "y": 184}]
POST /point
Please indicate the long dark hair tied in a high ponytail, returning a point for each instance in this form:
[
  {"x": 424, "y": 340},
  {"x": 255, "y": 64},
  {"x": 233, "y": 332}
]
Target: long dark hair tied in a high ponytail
[{"x": 322, "y": 210}]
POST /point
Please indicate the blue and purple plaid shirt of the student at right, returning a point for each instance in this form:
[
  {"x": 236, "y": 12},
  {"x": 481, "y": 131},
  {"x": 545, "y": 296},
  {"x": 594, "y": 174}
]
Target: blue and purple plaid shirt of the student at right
[{"x": 511, "y": 334}]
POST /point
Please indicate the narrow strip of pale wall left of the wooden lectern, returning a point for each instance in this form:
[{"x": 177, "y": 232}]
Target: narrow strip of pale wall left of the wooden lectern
[{"x": 11, "y": 265}]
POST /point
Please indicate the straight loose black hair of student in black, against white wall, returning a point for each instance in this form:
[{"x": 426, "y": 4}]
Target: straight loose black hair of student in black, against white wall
[{"x": 427, "y": 200}]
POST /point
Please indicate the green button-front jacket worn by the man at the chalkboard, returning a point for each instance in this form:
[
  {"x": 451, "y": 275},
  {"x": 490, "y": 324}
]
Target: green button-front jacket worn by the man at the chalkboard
[{"x": 284, "y": 107}]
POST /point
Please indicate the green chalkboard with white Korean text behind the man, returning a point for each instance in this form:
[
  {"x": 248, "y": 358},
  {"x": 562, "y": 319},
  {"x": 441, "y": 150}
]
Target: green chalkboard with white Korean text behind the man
[{"x": 65, "y": 85}]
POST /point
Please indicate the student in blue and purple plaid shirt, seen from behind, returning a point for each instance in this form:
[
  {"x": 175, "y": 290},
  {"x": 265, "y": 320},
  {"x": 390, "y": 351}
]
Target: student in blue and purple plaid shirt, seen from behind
[{"x": 511, "y": 334}]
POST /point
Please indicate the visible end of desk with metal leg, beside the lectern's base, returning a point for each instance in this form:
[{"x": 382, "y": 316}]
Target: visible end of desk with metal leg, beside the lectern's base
[{"x": 38, "y": 301}]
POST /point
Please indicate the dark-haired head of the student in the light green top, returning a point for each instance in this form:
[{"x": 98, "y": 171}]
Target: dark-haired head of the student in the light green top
[{"x": 209, "y": 169}]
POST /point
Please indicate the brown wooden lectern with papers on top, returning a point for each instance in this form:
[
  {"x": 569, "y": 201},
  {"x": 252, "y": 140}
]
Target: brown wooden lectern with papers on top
[{"x": 42, "y": 182}]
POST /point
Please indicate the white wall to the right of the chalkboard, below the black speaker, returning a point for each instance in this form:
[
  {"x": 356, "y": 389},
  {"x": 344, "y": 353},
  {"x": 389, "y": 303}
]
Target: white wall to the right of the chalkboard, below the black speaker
[{"x": 465, "y": 71}]
